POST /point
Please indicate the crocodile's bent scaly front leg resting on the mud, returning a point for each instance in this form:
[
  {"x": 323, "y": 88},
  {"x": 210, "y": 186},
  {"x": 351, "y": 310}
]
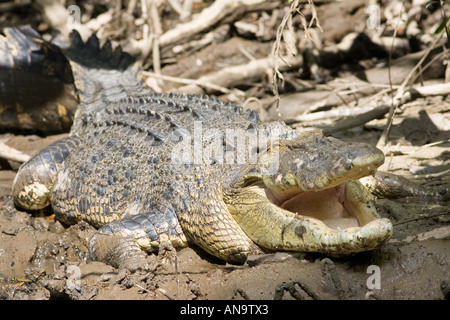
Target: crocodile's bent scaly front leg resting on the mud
[{"x": 121, "y": 243}]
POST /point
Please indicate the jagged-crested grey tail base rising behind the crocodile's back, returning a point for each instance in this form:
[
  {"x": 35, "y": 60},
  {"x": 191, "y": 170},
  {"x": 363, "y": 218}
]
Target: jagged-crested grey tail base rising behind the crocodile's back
[{"x": 102, "y": 75}]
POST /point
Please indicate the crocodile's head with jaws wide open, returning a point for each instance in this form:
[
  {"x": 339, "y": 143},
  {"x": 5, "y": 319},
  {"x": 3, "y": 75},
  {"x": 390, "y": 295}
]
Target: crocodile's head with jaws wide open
[{"x": 312, "y": 200}]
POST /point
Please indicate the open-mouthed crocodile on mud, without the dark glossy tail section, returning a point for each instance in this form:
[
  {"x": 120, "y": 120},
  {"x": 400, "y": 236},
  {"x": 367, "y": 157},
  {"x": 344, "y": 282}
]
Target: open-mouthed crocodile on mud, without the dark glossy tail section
[{"x": 148, "y": 169}]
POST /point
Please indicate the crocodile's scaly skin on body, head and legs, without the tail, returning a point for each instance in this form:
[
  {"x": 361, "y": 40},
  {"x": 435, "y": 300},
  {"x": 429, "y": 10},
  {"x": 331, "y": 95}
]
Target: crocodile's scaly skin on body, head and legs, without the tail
[{"x": 127, "y": 178}]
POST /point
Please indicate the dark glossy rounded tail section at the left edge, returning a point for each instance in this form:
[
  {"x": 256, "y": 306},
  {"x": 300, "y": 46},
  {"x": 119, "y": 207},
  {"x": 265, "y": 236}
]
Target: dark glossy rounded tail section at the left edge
[{"x": 36, "y": 84}]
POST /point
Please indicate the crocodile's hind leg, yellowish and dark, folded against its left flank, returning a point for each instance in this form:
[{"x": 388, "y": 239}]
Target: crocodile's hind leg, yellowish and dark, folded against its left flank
[{"x": 34, "y": 181}]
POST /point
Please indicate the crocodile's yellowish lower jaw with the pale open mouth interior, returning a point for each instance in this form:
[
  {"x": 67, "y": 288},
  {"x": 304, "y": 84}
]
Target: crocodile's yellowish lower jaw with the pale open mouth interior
[{"x": 338, "y": 220}]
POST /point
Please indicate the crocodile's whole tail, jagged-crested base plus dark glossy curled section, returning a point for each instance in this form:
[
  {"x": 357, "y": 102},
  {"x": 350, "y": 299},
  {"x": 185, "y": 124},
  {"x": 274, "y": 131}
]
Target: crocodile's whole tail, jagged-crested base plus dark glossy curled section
[{"x": 43, "y": 84}]
